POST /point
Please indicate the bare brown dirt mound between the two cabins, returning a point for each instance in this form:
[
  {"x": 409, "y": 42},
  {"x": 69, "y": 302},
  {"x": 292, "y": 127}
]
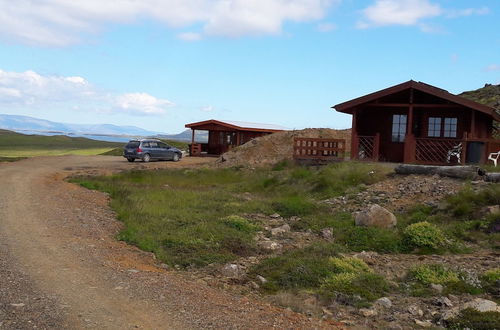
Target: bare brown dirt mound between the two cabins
[{"x": 273, "y": 148}]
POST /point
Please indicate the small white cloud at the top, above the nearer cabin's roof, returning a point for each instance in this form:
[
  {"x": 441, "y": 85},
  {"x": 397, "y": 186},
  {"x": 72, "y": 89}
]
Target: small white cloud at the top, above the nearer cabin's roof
[{"x": 398, "y": 12}]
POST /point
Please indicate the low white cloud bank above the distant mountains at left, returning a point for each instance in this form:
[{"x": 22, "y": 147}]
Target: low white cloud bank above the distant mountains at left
[{"x": 33, "y": 90}]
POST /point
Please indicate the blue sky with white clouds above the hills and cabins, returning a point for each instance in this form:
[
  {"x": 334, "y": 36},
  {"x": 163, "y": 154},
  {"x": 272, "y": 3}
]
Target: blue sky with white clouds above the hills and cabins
[{"x": 160, "y": 64}]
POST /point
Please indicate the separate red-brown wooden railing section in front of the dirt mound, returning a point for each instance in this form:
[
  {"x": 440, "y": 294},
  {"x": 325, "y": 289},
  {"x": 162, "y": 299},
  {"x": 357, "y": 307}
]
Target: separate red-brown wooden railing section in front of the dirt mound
[{"x": 319, "y": 149}]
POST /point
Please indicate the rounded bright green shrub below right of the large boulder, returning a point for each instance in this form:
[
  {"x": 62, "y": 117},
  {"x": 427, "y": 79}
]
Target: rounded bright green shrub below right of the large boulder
[{"x": 424, "y": 235}]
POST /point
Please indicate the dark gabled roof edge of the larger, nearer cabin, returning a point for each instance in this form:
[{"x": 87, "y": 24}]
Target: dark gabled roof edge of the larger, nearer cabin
[{"x": 348, "y": 107}]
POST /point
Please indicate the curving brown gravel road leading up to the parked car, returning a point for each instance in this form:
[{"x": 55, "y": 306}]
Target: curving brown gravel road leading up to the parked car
[{"x": 61, "y": 267}]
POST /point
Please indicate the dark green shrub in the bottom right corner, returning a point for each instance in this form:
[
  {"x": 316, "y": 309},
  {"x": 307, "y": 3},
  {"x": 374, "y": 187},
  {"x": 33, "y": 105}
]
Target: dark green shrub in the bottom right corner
[{"x": 472, "y": 319}]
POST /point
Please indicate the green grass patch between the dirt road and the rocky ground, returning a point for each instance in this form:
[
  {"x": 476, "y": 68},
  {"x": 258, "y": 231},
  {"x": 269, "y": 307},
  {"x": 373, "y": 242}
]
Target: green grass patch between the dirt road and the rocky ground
[{"x": 187, "y": 217}]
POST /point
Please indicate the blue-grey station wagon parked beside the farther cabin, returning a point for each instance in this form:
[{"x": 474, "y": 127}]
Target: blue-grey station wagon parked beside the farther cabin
[{"x": 148, "y": 149}]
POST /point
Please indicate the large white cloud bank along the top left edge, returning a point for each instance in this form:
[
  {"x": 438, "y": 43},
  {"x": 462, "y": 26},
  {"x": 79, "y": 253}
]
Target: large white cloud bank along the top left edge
[{"x": 63, "y": 22}]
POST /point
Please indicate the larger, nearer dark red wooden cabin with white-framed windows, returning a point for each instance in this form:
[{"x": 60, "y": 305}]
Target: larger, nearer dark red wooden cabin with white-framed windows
[{"x": 414, "y": 122}]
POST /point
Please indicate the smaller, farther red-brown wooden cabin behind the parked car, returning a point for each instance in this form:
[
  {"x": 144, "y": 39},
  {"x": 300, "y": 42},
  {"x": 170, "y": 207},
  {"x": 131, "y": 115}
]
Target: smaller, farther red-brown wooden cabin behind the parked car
[{"x": 224, "y": 135}]
